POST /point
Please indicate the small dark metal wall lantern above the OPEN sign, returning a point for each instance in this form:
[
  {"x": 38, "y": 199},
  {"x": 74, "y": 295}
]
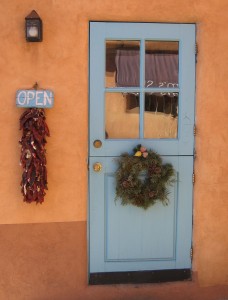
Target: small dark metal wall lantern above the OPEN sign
[{"x": 33, "y": 27}]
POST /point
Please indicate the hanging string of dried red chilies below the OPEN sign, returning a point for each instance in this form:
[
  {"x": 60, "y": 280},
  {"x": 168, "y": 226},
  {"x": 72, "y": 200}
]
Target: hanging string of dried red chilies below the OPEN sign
[{"x": 33, "y": 157}]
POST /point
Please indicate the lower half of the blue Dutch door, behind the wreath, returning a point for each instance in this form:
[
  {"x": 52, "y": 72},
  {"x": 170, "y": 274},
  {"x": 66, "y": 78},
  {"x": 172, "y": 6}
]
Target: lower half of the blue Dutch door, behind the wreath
[{"x": 127, "y": 238}]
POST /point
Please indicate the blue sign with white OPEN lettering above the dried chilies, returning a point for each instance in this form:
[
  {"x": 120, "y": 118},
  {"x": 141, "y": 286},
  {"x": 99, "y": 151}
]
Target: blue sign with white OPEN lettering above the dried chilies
[{"x": 35, "y": 98}]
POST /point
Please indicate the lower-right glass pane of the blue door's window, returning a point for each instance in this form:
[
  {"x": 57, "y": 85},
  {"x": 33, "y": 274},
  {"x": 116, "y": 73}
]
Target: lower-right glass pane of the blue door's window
[{"x": 161, "y": 115}]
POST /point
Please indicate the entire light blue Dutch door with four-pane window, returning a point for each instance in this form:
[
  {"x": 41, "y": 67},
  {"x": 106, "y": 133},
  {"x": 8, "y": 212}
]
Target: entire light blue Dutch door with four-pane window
[{"x": 142, "y": 89}]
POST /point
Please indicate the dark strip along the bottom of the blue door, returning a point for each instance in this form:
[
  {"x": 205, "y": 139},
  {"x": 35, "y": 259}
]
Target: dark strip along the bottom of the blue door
[{"x": 138, "y": 277}]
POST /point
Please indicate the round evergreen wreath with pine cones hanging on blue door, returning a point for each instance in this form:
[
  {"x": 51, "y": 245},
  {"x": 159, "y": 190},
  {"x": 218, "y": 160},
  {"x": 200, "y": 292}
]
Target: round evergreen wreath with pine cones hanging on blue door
[{"x": 142, "y": 179}]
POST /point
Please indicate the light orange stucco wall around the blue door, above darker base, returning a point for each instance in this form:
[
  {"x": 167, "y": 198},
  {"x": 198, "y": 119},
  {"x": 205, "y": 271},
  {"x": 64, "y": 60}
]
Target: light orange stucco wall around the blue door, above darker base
[{"x": 60, "y": 63}]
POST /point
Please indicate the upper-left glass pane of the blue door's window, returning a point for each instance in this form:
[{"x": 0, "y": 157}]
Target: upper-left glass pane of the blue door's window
[{"x": 122, "y": 64}]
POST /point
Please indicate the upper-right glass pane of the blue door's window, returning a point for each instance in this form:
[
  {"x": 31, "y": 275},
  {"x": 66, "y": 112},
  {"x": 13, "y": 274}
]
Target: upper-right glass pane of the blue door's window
[{"x": 161, "y": 64}]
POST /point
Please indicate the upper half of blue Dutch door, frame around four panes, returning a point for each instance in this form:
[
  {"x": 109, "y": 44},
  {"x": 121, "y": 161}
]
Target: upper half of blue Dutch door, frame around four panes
[{"x": 185, "y": 35}]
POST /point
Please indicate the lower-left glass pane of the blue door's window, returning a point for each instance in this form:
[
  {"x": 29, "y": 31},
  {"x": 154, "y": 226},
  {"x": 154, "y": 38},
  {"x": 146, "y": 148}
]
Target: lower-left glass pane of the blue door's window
[{"x": 122, "y": 115}]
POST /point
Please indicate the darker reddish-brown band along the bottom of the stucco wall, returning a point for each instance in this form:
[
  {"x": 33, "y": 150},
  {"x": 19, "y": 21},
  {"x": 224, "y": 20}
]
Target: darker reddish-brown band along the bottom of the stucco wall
[{"x": 48, "y": 262}]
